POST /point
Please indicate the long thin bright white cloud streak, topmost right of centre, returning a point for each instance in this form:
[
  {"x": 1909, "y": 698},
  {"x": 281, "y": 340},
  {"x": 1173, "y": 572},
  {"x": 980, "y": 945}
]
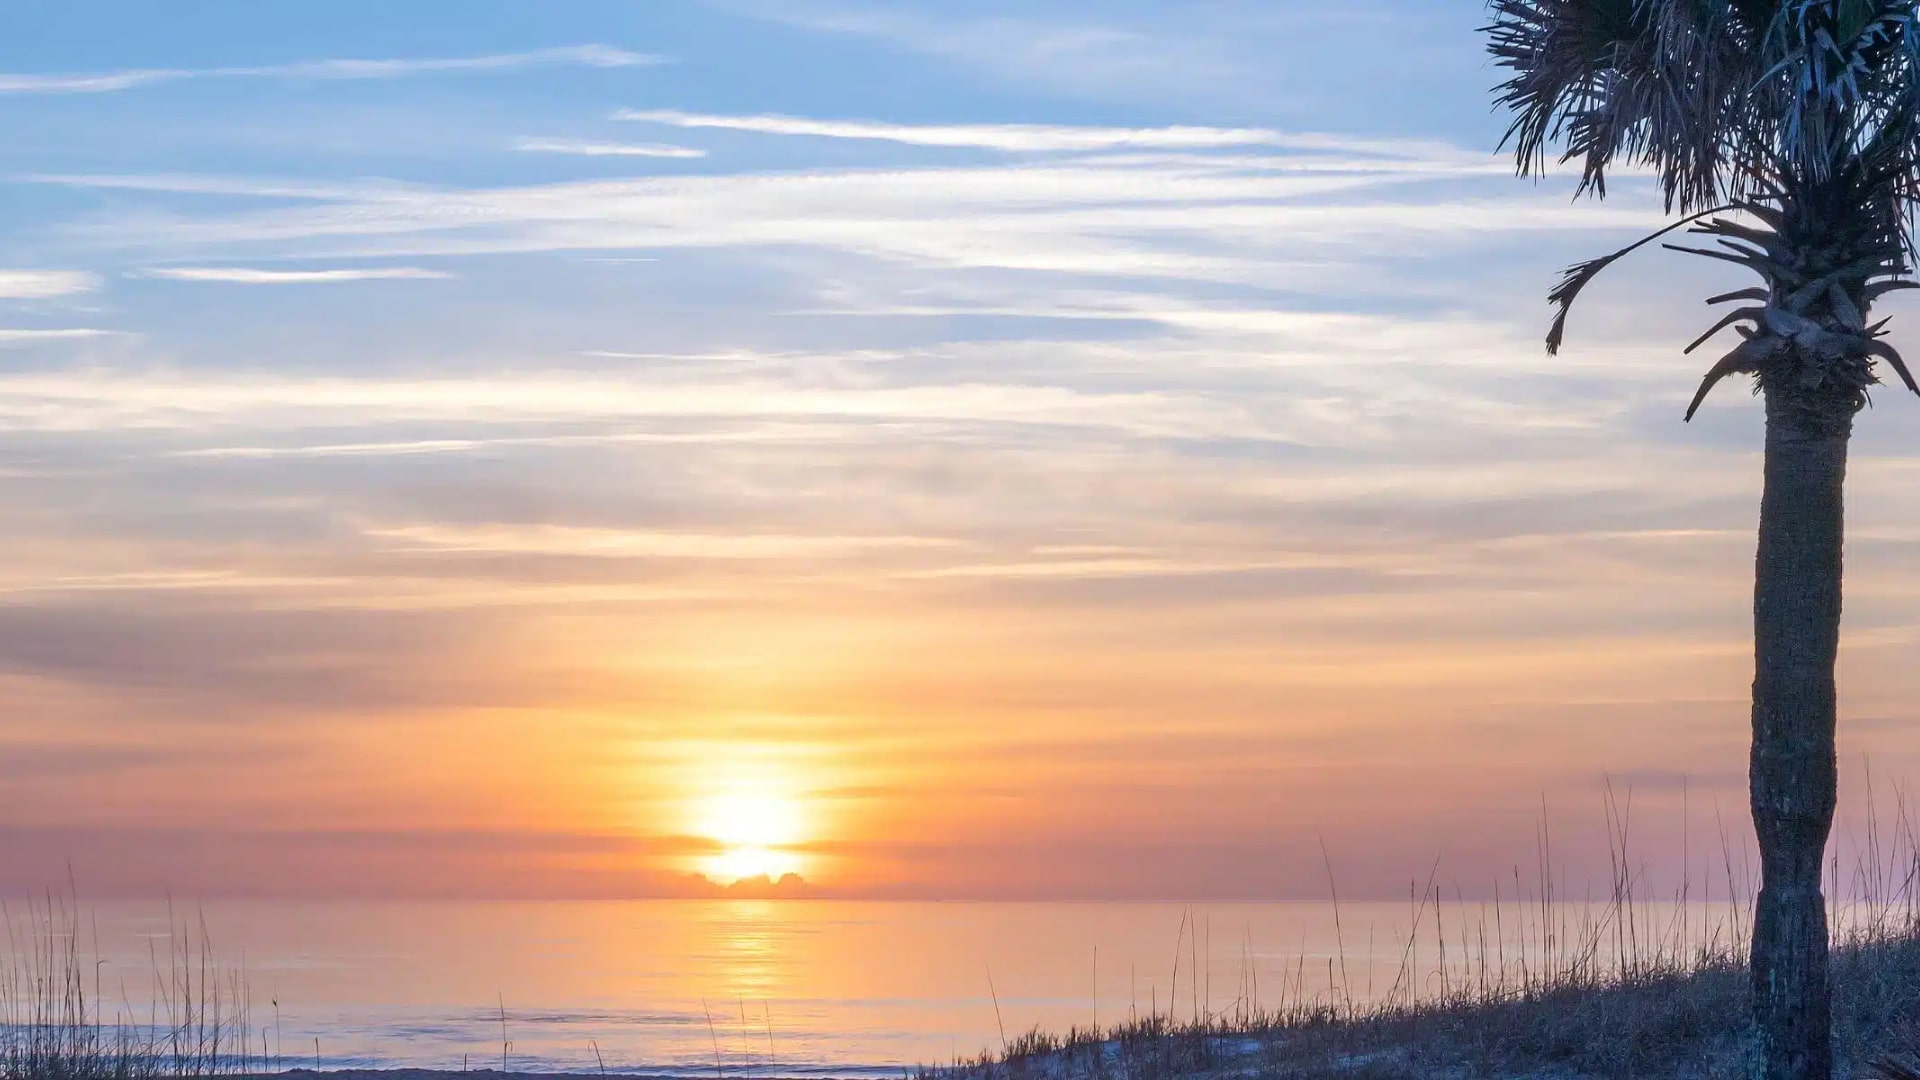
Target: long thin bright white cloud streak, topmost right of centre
[{"x": 1022, "y": 137}]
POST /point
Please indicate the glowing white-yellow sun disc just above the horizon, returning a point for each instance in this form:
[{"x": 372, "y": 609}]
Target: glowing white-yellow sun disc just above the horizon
[{"x": 756, "y": 822}]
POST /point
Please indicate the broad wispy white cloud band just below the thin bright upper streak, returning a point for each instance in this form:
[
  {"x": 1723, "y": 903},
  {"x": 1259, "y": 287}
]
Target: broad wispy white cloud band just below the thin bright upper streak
[{"x": 1272, "y": 222}]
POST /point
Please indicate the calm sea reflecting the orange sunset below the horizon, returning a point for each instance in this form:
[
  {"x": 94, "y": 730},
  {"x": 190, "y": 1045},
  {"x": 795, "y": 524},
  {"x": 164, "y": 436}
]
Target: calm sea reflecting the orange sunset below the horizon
[{"x": 752, "y": 987}]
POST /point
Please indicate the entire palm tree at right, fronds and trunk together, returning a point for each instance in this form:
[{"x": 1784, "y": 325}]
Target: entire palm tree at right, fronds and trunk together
[{"x": 1787, "y": 134}]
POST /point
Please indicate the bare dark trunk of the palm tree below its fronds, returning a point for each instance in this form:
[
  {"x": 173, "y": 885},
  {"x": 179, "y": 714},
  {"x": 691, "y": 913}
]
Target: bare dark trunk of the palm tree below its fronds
[{"x": 1796, "y": 637}]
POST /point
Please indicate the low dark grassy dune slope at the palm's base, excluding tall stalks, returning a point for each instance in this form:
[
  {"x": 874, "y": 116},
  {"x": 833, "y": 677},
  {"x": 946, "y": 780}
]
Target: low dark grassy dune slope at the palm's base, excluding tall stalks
[{"x": 1683, "y": 1021}]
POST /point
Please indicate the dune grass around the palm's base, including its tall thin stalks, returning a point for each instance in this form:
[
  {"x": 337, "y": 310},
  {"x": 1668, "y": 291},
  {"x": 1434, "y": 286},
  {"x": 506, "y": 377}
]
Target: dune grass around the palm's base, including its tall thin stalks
[{"x": 1527, "y": 987}]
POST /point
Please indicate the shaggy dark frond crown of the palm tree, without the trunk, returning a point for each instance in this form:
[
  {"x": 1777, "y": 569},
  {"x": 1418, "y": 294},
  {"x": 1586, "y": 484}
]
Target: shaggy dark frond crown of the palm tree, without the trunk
[{"x": 1790, "y": 126}]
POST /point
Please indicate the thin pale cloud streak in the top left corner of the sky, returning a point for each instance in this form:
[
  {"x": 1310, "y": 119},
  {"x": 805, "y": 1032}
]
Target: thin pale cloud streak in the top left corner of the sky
[{"x": 325, "y": 70}]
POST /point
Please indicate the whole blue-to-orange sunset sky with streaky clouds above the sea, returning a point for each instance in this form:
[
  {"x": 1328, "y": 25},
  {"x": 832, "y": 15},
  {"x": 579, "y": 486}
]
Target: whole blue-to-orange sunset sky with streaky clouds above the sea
[{"x": 992, "y": 451}]
